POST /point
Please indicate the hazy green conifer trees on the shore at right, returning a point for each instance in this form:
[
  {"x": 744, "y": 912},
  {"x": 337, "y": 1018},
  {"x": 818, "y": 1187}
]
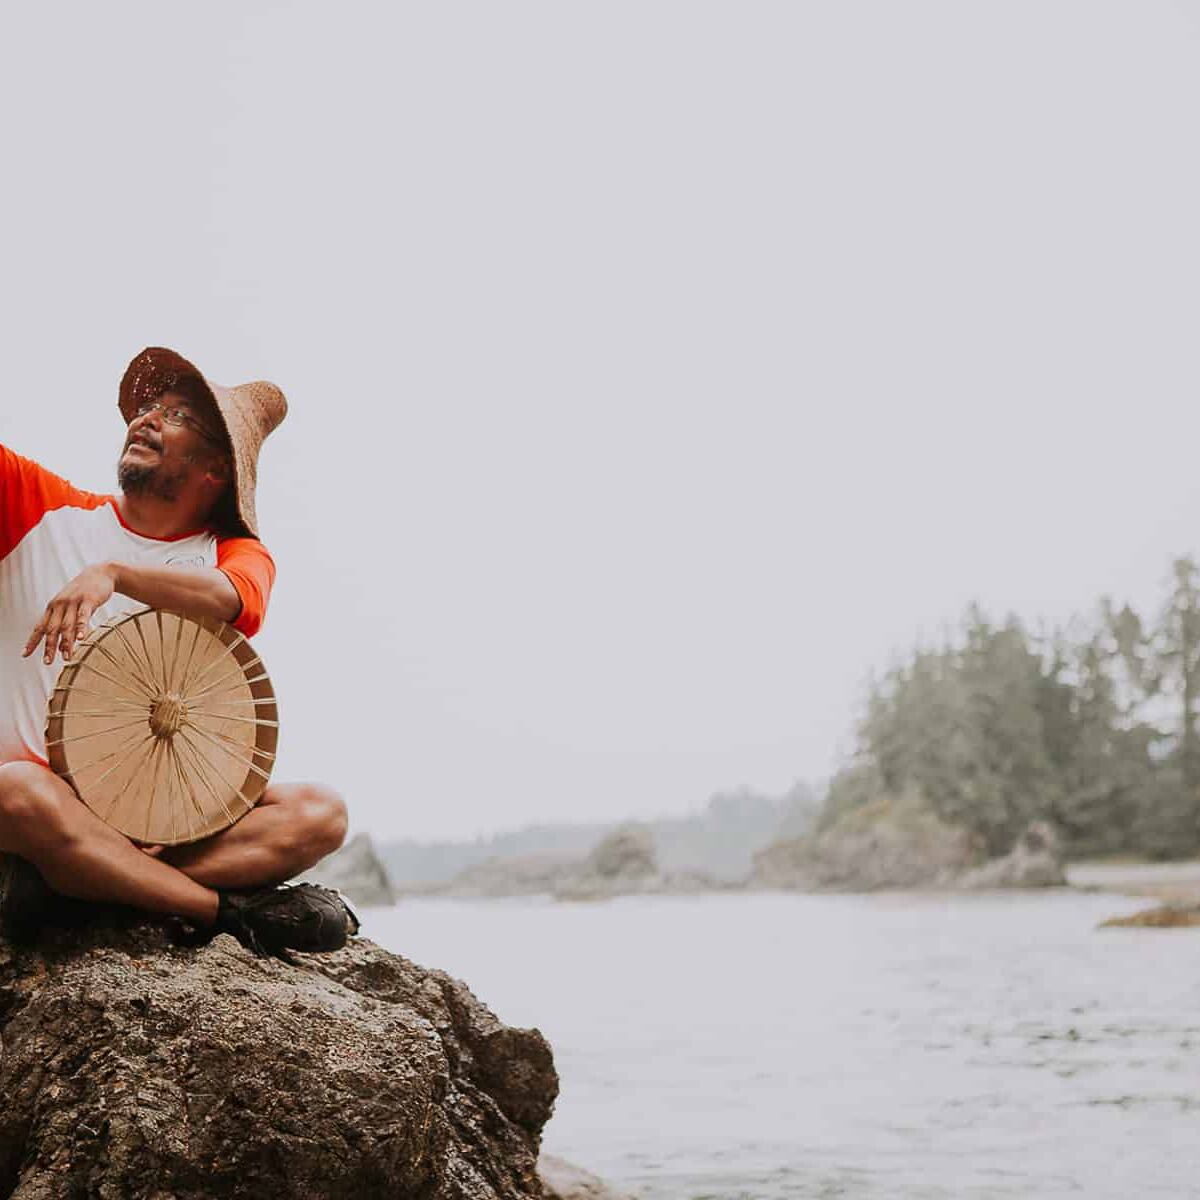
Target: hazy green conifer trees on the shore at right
[{"x": 1093, "y": 728}]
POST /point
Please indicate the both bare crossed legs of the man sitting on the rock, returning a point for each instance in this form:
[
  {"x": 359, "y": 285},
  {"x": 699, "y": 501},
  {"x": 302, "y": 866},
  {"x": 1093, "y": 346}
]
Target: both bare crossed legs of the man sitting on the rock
[{"x": 41, "y": 819}]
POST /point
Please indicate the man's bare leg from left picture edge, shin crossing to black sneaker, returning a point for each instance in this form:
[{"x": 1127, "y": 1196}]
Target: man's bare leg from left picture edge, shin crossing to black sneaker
[{"x": 80, "y": 856}]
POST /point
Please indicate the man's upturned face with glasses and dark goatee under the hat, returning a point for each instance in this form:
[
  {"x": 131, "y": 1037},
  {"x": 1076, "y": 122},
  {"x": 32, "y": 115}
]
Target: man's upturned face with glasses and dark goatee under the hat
[{"x": 160, "y": 458}]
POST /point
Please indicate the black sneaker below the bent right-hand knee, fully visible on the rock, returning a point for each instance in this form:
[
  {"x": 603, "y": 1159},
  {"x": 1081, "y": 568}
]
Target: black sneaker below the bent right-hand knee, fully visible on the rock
[{"x": 290, "y": 917}]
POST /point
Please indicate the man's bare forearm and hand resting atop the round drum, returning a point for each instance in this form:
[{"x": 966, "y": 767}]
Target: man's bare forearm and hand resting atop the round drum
[{"x": 193, "y": 591}]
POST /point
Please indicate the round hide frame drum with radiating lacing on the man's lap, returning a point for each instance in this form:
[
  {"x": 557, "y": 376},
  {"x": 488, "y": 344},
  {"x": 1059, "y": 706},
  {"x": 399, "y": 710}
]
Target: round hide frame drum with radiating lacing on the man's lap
[{"x": 166, "y": 727}]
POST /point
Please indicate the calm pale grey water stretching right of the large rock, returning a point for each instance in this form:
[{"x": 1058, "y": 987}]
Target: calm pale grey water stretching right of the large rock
[{"x": 878, "y": 1047}]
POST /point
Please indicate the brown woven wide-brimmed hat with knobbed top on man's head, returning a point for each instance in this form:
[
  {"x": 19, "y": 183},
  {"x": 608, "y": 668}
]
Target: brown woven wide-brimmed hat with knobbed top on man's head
[{"x": 249, "y": 413}]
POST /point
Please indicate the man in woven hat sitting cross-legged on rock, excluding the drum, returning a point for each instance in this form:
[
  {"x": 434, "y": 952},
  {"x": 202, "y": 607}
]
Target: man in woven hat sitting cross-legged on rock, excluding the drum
[{"x": 181, "y": 536}]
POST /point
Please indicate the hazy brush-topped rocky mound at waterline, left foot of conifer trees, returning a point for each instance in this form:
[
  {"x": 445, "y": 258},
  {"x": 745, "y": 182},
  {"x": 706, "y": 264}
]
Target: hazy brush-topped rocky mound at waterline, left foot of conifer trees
[{"x": 890, "y": 844}]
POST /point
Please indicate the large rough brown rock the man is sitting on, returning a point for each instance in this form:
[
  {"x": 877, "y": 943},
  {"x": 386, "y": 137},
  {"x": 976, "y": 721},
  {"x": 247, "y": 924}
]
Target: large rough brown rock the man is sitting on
[{"x": 133, "y": 1069}]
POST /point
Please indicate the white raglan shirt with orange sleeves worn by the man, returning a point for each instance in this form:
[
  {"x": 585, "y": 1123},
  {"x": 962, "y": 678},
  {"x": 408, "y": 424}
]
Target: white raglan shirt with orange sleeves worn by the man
[{"x": 50, "y": 532}]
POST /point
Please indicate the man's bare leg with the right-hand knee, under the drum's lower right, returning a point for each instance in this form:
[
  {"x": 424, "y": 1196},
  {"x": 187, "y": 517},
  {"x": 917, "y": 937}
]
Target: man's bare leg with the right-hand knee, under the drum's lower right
[{"x": 292, "y": 829}]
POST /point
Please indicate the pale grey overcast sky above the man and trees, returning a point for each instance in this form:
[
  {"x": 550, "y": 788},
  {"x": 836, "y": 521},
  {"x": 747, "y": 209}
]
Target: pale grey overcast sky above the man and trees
[{"x": 657, "y": 370}]
